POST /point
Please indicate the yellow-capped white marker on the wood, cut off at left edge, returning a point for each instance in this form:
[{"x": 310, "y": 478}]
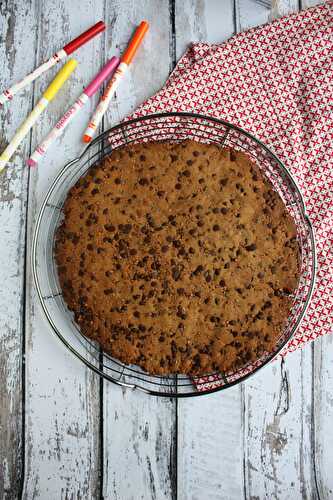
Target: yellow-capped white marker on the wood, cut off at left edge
[{"x": 47, "y": 97}]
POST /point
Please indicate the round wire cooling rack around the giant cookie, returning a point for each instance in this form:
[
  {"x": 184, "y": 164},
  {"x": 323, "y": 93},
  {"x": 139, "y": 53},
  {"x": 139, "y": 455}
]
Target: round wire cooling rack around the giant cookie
[{"x": 171, "y": 127}]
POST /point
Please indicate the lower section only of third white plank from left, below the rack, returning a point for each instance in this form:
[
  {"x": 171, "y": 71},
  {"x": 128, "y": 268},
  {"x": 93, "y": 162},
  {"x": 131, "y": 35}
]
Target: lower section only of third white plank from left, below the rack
[{"x": 140, "y": 454}]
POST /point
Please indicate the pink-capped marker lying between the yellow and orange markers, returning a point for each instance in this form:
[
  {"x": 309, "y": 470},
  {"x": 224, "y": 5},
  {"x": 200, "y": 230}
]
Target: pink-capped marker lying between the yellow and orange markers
[{"x": 60, "y": 126}]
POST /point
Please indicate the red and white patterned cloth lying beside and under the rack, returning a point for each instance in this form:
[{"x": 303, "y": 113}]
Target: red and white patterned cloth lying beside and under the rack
[{"x": 276, "y": 82}]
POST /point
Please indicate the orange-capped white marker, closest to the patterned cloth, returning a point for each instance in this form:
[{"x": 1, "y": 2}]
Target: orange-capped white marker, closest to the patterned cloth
[{"x": 115, "y": 80}]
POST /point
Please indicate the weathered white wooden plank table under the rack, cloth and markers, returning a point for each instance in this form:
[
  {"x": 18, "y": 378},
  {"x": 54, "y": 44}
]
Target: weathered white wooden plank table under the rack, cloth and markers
[{"x": 66, "y": 434}]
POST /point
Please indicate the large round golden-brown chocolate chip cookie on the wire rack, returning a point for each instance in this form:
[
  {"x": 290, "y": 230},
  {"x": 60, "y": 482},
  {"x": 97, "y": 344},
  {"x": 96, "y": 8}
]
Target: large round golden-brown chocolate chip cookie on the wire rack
[{"x": 179, "y": 258}]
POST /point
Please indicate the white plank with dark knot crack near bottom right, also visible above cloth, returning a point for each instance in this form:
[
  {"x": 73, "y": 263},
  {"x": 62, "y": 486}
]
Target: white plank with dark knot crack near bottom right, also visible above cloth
[{"x": 278, "y": 460}]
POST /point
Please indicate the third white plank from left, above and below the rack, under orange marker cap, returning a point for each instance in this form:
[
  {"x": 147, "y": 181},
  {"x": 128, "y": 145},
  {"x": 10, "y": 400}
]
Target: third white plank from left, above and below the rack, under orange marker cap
[{"x": 139, "y": 430}]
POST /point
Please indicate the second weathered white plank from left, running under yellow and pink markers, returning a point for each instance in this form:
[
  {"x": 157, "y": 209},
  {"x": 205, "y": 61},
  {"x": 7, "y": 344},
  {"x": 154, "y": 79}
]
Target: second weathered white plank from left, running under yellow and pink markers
[{"x": 62, "y": 396}]
